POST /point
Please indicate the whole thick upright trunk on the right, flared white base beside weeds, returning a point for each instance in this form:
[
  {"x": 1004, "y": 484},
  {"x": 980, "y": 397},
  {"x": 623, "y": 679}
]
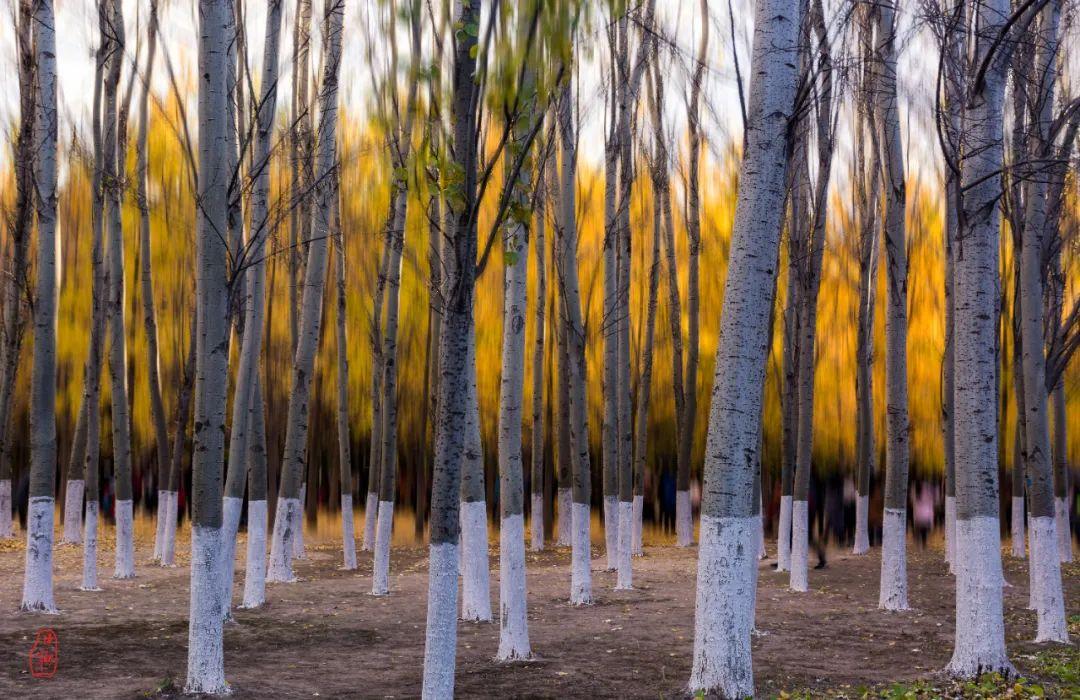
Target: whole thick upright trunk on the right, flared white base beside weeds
[{"x": 980, "y": 632}]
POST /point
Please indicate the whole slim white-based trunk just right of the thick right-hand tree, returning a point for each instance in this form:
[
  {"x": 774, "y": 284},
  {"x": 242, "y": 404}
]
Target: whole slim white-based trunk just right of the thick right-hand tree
[{"x": 1046, "y": 560}]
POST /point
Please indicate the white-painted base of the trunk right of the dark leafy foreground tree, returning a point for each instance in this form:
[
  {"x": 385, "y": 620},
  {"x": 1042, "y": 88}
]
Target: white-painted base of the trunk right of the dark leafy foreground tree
[{"x": 514, "y": 611}]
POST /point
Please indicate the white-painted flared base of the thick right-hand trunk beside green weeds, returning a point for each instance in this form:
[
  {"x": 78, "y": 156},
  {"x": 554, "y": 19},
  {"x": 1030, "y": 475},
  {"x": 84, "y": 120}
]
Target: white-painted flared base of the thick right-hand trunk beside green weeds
[{"x": 980, "y": 645}]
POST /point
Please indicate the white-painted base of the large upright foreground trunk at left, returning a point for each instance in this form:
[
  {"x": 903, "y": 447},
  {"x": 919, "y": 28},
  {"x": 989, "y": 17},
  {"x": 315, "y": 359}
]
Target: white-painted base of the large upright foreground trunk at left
[{"x": 206, "y": 654}]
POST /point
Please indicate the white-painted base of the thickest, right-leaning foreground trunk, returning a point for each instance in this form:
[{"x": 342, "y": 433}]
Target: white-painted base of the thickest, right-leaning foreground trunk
[{"x": 725, "y": 608}]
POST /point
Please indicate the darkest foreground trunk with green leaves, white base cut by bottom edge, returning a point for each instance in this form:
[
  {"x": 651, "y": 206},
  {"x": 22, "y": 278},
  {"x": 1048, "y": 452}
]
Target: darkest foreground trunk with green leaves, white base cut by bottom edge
[{"x": 460, "y": 271}]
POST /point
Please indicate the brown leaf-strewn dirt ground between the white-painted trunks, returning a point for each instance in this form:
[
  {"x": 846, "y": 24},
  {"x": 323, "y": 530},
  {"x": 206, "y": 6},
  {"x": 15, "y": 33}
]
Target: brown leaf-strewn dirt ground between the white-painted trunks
[{"x": 326, "y": 637}]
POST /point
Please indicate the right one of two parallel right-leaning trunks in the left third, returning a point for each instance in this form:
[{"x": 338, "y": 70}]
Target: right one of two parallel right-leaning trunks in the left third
[{"x": 288, "y": 520}]
